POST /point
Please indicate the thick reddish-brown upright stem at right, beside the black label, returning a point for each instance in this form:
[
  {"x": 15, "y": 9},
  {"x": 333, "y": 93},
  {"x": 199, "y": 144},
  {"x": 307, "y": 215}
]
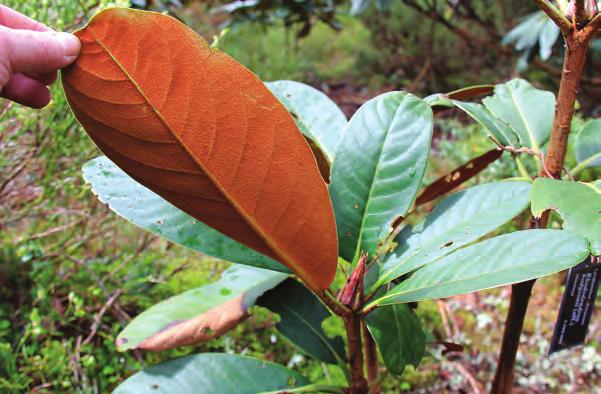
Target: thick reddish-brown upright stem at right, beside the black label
[{"x": 577, "y": 43}]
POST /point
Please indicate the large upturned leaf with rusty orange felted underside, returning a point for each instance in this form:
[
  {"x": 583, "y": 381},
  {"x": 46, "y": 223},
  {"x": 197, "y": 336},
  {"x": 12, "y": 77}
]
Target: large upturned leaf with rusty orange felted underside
[{"x": 203, "y": 132}]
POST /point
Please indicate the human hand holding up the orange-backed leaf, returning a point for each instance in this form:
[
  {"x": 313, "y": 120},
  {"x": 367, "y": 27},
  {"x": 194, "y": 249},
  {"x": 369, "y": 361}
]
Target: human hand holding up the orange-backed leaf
[{"x": 30, "y": 55}]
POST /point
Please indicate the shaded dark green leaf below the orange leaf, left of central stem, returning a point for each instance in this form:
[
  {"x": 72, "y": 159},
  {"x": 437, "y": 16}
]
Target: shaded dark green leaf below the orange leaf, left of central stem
[{"x": 301, "y": 315}]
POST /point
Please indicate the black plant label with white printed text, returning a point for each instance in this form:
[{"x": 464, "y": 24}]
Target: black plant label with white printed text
[{"x": 576, "y": 305}]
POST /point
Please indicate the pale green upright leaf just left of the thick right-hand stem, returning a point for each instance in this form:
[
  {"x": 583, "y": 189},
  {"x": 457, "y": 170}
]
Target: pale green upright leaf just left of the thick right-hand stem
[{"x": 527, "y": 110}]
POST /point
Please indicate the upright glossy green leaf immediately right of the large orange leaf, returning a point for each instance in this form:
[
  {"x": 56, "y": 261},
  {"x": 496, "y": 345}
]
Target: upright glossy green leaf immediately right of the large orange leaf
[{"x": 378, "y": 169}]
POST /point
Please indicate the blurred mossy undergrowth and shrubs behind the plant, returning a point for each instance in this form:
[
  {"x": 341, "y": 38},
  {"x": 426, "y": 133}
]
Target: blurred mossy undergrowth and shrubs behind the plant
[{"x": 72, "y": 273}]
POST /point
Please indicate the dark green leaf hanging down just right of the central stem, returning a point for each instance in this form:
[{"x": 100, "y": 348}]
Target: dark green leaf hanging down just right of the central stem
[{"x": 399, "y": 336}]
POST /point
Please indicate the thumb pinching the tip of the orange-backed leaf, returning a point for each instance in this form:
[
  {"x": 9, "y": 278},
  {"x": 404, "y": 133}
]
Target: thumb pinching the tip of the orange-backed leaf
[{"x": 33, "y": 53}]
